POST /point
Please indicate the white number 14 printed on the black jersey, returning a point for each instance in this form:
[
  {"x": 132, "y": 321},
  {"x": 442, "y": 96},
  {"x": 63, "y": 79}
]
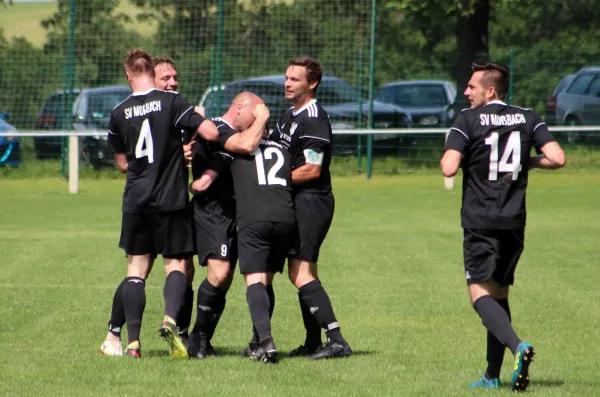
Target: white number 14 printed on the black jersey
[{"x": 511, "y": 157}]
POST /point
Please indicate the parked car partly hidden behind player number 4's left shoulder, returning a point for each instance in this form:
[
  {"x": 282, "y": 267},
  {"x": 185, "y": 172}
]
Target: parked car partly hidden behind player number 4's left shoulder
[{"x": 91, "y": 112}]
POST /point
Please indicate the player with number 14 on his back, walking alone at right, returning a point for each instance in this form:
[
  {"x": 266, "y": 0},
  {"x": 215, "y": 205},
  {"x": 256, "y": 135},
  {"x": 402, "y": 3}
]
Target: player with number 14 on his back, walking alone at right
[{"x": 492, "y": 142}]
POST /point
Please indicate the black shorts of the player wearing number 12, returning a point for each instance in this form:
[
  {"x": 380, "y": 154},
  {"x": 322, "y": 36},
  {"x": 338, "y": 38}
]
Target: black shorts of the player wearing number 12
[{"x": 263, "y": 246}]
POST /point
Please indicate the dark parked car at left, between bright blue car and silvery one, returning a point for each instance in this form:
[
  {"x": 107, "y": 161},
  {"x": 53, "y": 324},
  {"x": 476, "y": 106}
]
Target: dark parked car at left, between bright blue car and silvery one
[{"x": 52, "y": 118}]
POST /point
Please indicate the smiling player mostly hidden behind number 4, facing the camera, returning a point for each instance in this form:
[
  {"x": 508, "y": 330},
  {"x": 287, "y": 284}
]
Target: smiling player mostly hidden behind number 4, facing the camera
[{"x": 166, "y": 79}]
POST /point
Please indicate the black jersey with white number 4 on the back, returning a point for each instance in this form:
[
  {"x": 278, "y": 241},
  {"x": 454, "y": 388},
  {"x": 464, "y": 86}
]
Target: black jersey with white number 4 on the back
[{"x": 146, "y": 127}]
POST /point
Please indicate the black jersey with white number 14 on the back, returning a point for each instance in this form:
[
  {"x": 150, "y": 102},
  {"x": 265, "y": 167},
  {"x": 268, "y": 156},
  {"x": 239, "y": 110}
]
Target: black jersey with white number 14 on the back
[{"x": 496, "y": 142}]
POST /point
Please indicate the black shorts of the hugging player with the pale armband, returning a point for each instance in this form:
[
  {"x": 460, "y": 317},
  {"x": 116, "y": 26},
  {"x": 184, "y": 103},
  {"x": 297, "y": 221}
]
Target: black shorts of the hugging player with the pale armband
[{"x": 314, "y": 213}]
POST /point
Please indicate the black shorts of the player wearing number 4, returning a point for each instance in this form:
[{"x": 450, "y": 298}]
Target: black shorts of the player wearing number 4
[{"x": 168, "y": 234}]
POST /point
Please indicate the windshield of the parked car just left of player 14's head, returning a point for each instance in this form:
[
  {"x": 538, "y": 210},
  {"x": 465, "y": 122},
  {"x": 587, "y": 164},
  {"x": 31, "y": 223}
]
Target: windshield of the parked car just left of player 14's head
[{"x": 413, "y": 95}]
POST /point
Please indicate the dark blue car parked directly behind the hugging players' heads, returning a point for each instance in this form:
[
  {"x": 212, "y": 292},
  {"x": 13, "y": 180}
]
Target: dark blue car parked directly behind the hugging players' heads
[{"x": 342, "y": 102}]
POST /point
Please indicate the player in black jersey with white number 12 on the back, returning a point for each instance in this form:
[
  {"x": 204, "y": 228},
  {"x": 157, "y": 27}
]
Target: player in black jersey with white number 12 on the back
[{"x": 265, "y": 221}]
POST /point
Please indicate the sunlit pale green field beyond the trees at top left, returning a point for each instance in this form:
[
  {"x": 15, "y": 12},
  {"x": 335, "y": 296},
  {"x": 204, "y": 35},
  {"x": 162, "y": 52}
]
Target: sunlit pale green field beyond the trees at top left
[{"x": 23, "y": 19}]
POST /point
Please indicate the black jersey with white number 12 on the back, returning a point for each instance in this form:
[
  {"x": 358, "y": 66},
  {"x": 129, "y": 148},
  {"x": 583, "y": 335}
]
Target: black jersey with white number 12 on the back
[{"x": 262, "y": 182}]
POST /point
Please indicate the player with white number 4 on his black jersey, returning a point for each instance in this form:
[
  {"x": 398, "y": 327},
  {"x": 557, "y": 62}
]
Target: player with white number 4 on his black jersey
[{"x": 145, "y": 135}]
